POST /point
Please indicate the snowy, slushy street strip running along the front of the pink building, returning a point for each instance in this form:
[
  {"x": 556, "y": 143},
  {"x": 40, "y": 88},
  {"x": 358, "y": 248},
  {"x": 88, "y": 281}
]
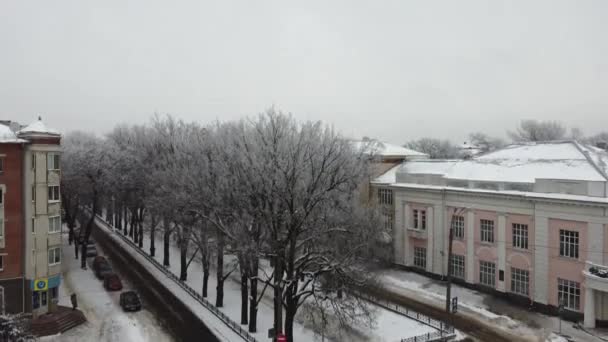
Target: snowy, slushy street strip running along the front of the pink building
[{"x": 496, "y": 311}]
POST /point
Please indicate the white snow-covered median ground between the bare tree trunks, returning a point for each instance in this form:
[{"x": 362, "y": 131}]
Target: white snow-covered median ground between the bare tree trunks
[{"x": 388, "y": 326}]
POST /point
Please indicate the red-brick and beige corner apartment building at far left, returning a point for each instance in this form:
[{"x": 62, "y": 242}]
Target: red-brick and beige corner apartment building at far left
[{"x": 30, "y": 243}]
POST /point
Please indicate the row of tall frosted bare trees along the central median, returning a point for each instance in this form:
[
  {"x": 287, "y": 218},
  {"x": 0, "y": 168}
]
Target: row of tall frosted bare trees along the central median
[{"x": 276, "y": 196}]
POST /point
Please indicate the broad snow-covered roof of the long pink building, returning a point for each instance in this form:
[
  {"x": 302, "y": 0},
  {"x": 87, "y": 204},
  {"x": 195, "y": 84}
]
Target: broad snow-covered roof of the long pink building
[{"x": 520, "y": 163}]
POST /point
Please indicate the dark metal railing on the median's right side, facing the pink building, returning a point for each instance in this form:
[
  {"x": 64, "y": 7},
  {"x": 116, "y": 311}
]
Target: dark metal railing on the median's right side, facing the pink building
[{"x": 444, "y": 331}]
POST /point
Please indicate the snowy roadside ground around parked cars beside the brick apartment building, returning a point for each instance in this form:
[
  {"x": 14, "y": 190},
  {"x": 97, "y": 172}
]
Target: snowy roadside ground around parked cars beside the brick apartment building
[{"x": 106, "y": 320}]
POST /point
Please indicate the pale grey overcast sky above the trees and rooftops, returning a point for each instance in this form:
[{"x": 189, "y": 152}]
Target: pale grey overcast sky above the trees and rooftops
[{"x": 396, "y": 70}]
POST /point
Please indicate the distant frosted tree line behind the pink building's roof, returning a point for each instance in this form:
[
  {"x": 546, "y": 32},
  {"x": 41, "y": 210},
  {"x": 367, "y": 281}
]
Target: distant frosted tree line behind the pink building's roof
[{"x": 527, "y": 131}]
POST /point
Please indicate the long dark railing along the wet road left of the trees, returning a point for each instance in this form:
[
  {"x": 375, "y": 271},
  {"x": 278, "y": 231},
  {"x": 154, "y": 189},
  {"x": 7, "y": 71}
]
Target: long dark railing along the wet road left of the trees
[{"x": 219, "y": 314}]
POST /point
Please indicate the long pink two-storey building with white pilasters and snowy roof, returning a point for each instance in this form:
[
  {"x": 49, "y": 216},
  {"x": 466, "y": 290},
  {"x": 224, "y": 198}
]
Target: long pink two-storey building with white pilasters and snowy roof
[{"x": 530, "y": 222}]
